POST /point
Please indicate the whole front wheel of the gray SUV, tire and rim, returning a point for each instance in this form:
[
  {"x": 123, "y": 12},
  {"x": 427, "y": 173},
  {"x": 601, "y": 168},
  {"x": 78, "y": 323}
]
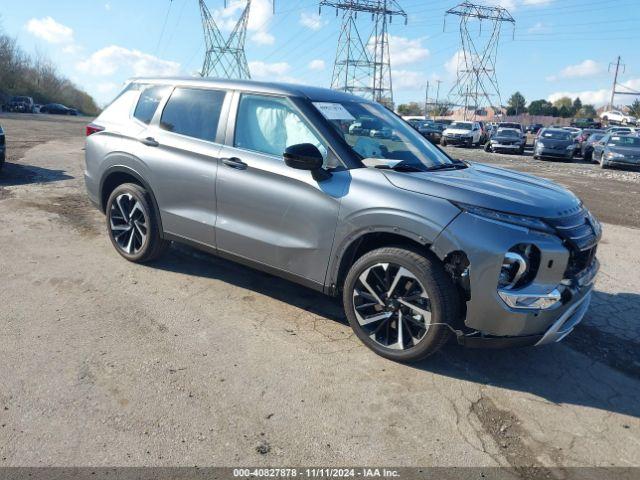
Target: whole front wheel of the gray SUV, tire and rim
[{"x": 400, "y": 303}]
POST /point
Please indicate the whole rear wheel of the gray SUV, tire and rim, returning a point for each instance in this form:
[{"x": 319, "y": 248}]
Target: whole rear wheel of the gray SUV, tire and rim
[{"x": 132, "y": 224}]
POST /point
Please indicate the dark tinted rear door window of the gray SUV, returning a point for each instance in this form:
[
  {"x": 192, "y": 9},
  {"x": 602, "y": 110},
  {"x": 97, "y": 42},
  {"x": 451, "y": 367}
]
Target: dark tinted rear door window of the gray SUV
[{"x": 193, "y": 112}]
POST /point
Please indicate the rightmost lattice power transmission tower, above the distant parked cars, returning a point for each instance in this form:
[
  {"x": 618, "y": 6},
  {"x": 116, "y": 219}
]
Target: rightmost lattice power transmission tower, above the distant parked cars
[{"x": 476, "y": 84}]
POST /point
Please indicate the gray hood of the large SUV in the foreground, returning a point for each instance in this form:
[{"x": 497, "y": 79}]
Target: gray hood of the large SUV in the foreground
[{"x": 491, "y": 187}]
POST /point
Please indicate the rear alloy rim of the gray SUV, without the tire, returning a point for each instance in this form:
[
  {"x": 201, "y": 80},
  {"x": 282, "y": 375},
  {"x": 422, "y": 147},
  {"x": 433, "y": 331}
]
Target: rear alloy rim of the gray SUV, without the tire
[{"x": 128, "y": 223}]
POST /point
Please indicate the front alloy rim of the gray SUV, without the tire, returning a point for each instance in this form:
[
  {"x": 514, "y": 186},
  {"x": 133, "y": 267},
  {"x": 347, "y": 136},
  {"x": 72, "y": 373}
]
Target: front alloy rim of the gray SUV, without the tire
[{"x": 392, "y": 306}]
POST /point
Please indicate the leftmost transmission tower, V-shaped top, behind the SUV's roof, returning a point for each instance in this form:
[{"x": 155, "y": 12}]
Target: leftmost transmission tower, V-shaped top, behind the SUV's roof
[{"x": 224, "y": 58}]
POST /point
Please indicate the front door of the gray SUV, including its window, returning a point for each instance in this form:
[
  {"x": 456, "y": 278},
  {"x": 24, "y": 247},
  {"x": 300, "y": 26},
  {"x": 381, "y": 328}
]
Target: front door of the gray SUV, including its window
[{"x": 268, "y": 212}]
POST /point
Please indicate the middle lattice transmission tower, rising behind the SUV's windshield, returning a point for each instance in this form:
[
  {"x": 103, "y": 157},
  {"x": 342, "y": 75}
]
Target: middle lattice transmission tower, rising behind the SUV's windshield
[{"x": 363, "y": 64}]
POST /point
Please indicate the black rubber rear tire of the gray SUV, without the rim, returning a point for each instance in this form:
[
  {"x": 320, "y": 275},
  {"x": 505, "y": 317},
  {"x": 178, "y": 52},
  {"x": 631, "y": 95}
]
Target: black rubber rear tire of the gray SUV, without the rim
[{"x": 153, "y": 245}]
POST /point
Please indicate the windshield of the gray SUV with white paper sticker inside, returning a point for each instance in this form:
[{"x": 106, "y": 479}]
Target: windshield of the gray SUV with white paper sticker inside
[{"x": 373, "y": 132}]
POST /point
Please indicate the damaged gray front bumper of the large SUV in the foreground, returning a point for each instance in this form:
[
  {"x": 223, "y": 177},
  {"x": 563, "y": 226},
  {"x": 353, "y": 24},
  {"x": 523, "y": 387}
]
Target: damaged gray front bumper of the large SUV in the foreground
[{"x": 490, "y": 320}]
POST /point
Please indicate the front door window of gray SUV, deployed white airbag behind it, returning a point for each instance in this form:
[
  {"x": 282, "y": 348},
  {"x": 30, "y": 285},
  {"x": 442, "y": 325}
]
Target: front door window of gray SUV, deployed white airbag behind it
[{"x": 270, "y": 125}]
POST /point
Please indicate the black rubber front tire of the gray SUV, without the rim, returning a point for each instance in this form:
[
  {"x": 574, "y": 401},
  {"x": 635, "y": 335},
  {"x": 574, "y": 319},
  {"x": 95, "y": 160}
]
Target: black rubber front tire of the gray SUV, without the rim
[{"x": 443, "y": 298}]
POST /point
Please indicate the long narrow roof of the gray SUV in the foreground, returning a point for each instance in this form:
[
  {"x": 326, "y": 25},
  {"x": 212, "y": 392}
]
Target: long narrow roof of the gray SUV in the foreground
[{"x": 289, "y": 89}]
